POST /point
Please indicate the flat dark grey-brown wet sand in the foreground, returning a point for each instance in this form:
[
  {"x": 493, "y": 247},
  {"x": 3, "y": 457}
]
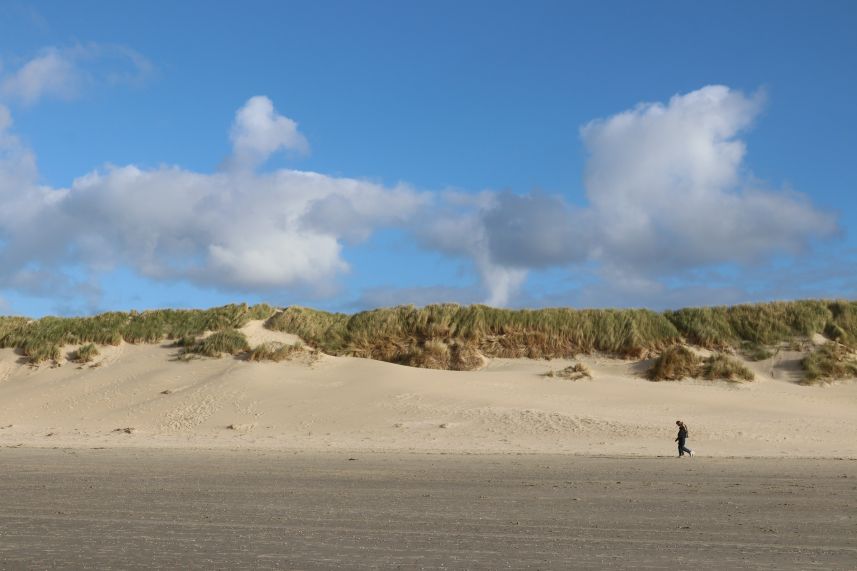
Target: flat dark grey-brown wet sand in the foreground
[{"x": 222, "y": 509}]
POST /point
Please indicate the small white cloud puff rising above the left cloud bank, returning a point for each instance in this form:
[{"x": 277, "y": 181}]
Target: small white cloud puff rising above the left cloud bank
[{"x": 259, "y": 131}]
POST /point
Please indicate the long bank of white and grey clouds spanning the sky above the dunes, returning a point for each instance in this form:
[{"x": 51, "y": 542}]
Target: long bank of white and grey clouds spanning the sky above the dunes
[{"x": 667, "y": 194}]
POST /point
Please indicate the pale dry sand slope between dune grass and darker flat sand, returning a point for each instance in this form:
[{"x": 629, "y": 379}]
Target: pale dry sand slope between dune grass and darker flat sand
[{"x": 358, "y": 404}]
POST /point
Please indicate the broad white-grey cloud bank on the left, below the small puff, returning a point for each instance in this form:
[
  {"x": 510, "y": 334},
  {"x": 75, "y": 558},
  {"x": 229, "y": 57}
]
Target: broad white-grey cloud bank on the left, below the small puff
[{"x": 237, "y": 229}]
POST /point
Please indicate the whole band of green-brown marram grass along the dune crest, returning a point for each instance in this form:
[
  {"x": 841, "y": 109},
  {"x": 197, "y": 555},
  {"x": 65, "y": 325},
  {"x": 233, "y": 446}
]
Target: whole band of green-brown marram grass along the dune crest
[{"x": 455, "y": 337}]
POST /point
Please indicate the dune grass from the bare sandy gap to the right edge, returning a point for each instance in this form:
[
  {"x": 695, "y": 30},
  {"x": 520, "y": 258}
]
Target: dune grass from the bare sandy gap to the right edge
[{"x": 452, "y": 336}]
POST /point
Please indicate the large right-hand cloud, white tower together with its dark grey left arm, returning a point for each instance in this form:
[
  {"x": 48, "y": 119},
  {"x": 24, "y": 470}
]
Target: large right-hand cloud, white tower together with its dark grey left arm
[{"x": 667, "y": 193}]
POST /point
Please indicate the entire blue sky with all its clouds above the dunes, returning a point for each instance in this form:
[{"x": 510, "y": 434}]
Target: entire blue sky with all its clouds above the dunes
[{"x": 350, "y": 155}]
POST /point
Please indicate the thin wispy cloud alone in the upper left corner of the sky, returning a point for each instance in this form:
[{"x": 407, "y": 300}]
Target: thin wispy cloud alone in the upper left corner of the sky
[{"x": 65, "y": 72}]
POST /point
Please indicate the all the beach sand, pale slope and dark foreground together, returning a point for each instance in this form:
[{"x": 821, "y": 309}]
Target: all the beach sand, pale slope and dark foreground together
[{"x": 142, "y": 461}]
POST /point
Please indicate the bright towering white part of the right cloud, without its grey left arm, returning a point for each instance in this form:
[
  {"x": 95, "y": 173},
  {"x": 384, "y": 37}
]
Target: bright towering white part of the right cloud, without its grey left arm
[{"x": 666, "y": 186}]
